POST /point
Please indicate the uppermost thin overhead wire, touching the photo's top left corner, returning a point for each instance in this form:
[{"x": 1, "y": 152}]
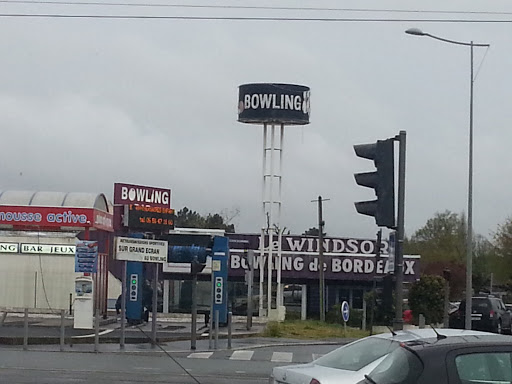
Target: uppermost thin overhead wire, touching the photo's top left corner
[{"x": 252, "y": 7}]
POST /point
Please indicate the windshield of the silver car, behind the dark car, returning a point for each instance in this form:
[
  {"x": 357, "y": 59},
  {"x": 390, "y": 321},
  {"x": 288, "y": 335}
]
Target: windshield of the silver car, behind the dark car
[{"x": 355, "y": 356}]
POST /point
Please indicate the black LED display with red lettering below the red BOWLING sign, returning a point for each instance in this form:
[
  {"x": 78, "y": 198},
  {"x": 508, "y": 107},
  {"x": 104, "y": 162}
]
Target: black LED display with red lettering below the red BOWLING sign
[{"x": 148, "y": 218}]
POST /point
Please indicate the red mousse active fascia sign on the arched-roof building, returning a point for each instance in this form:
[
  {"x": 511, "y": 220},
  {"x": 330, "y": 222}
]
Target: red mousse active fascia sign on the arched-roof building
[{"x": 55, "y": 217}]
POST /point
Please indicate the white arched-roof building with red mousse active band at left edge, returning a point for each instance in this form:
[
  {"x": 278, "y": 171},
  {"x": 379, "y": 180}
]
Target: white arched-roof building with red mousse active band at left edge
[{"x": 40, "y": 233}]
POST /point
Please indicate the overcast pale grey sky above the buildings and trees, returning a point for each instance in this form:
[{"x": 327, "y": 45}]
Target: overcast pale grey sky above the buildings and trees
[{"x": 88, "y": 102}]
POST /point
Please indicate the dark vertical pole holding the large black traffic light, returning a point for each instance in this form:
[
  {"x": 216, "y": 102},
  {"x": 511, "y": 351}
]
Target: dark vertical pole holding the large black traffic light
[{"x": 398, "y": 323}]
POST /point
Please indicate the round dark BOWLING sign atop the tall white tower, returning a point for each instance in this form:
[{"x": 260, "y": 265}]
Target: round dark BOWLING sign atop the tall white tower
[{"x": 274, "y": 103}]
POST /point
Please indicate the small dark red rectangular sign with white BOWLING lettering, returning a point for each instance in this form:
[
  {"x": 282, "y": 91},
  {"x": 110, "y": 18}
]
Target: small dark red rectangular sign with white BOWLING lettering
[{"x": 141, "y": 195}]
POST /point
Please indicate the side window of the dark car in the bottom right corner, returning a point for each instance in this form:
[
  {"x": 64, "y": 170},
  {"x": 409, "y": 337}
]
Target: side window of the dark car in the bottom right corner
[{"x": 491, "y": 367}]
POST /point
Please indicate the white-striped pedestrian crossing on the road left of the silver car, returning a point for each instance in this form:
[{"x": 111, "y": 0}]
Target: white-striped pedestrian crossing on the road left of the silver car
[{"x": 257, "y": 355}]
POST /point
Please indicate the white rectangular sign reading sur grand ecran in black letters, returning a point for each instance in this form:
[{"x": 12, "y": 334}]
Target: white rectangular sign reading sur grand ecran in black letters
[{"x": 145, "y": 250}]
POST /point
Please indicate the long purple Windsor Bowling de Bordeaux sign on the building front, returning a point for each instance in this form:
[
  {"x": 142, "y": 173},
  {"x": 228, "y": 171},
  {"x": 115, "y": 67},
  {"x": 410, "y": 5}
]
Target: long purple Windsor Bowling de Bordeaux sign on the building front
[{"x": 344, "y": 258}]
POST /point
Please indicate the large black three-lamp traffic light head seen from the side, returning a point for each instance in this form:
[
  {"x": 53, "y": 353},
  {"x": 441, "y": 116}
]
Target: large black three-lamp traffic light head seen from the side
[{"x": 382, "y": 181}]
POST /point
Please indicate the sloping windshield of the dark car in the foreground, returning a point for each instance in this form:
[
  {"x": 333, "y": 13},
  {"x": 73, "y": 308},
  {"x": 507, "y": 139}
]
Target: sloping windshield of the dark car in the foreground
[{"x": 399, "y": 367}]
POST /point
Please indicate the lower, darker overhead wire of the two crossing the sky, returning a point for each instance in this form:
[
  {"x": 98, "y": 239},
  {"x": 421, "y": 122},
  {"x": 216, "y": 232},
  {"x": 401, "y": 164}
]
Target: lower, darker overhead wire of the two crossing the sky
[{"x": 244, "y": 18}]
